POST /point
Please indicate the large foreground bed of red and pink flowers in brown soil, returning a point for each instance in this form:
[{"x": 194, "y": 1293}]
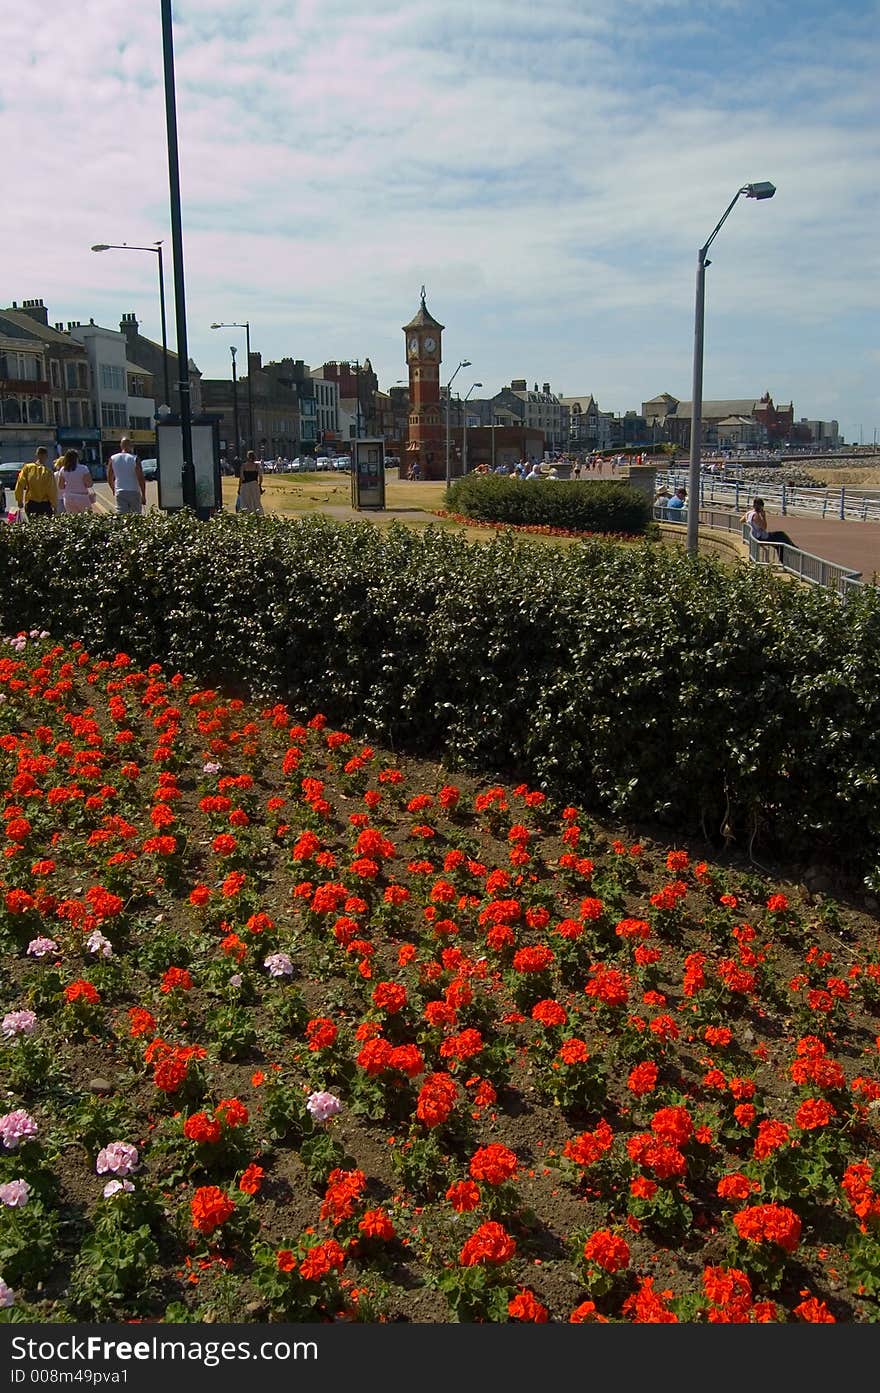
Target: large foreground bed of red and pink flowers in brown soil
[{"x": 292, "y": 1032}]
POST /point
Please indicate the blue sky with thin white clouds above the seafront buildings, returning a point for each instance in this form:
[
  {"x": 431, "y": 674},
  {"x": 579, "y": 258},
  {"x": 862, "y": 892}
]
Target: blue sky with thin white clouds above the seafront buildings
[{"x": 547, "y": 171}]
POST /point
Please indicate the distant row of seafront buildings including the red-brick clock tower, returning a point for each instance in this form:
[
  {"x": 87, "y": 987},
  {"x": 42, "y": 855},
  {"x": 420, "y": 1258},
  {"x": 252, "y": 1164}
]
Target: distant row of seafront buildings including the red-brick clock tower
[{"x": 86, "y": 385}]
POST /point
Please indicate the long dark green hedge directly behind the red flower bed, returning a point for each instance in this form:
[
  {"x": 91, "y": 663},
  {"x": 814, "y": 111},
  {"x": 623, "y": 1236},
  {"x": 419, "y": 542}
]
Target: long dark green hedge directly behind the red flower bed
[{"x": 636, "y": 680}]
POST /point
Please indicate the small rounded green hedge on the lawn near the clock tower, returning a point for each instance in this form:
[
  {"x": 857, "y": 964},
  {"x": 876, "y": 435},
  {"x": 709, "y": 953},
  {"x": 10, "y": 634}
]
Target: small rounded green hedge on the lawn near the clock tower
[{"x": 611, "y": 506}]
